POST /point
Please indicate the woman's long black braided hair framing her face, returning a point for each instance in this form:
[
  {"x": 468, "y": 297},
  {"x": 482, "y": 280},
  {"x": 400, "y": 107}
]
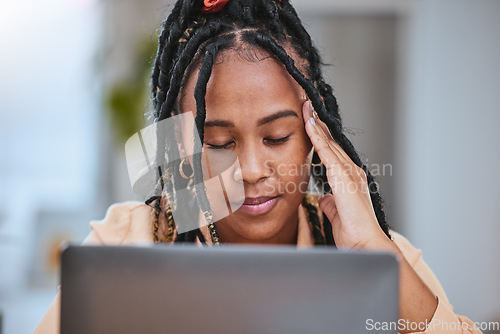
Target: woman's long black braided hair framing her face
[{"x": 190, "y": 37}]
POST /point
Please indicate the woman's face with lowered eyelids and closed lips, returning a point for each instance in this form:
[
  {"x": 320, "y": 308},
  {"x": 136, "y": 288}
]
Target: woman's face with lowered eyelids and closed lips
[{"x": 254, "y": 108}]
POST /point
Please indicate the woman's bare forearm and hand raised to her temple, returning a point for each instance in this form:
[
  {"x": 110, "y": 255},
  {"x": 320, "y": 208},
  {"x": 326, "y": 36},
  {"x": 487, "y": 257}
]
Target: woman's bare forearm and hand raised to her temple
[{"x": 354, "y": 224}]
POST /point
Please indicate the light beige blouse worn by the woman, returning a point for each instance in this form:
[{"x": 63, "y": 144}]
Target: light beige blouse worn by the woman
[{"x": 131, "y": 223}]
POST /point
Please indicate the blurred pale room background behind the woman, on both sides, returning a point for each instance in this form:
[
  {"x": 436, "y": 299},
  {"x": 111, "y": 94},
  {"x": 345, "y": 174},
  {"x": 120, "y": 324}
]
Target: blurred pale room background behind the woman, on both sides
[{"x": 418, "y": 83}]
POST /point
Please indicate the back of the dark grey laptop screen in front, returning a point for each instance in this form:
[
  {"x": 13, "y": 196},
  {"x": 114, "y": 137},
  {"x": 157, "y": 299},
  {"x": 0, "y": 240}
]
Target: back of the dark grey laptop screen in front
[{"x": 227, "y": 289}]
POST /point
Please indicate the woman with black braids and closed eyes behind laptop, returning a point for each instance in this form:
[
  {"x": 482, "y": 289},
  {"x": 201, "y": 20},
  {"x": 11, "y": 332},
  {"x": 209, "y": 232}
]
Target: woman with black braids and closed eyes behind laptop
[{"x": 250, "y": 75}]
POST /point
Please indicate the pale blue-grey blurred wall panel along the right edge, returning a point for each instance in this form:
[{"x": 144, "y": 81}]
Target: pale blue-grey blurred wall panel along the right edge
[{"x": 448, "y": 135}]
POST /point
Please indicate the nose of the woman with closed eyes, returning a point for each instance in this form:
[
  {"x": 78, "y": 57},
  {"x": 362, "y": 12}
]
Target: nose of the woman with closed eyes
[{"x": 253, "y": 164}]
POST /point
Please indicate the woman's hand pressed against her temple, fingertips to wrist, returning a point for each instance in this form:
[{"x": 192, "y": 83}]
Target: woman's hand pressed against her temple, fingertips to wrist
[{"x": 349, "y": 207}]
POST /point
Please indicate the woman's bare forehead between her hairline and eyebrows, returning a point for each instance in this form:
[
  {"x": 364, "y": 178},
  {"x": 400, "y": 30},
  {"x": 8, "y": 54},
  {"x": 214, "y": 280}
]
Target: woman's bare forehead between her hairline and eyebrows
[{"x": 247, "y": 84}]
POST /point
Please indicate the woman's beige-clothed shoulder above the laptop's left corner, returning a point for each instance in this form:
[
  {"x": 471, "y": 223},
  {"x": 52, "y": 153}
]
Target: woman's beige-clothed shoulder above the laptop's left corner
[{"x": 124, "y": 222}]
